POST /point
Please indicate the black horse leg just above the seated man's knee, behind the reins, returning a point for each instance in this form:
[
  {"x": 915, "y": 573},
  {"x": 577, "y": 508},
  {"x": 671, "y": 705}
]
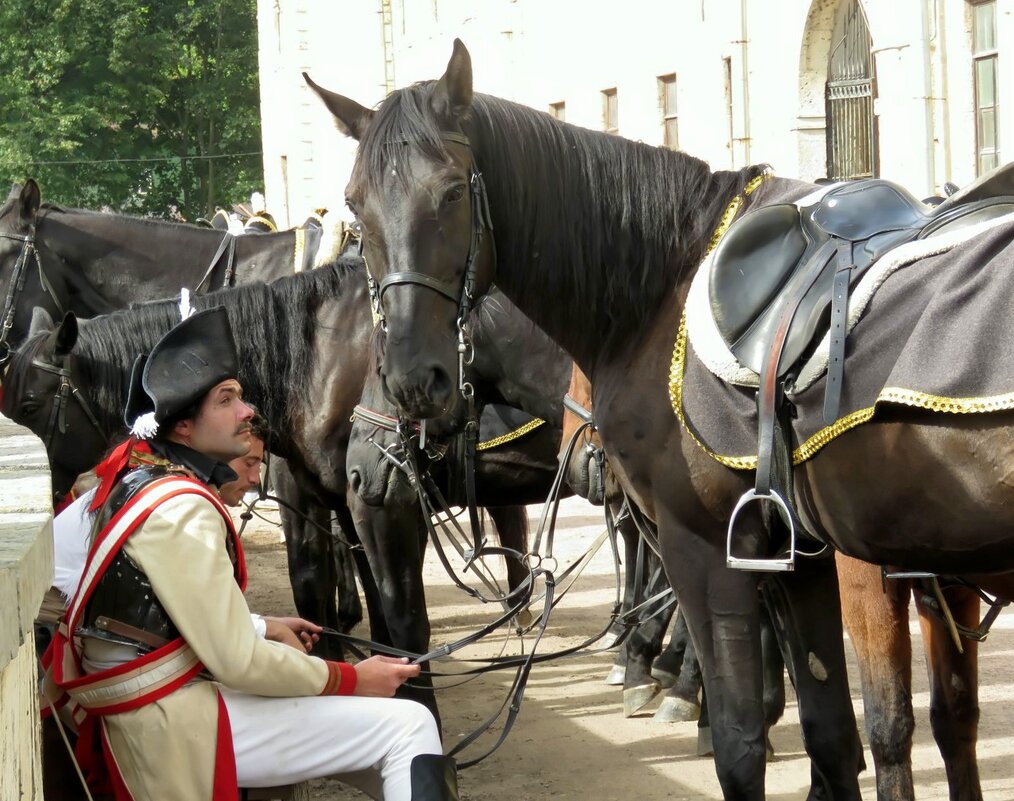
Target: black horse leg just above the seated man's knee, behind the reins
[{"x": 394, "y": 540}]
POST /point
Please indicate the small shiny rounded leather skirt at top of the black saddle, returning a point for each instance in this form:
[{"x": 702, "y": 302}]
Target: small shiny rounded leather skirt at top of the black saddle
[{"x": 858, "y": 211}]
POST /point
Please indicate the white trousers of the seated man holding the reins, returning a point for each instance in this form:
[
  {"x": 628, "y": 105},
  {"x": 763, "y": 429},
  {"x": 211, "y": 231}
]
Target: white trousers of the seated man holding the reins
[{"x": 366, "y": 742}]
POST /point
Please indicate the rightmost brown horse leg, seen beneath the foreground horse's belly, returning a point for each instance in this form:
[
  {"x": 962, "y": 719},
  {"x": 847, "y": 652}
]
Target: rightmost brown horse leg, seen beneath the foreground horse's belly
[{"x": 955, "y": 691}]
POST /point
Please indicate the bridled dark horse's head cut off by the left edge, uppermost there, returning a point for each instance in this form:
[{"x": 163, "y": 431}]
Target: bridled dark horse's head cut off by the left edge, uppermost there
[{"x": 22, "y": 287}]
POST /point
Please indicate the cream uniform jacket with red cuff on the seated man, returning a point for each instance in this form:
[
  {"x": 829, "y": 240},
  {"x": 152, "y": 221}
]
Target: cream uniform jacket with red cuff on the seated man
[{"x": 168, "y": 749}]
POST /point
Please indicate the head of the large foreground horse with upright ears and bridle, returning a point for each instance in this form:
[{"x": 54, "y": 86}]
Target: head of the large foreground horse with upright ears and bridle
[{"x": 426, "y": 237}]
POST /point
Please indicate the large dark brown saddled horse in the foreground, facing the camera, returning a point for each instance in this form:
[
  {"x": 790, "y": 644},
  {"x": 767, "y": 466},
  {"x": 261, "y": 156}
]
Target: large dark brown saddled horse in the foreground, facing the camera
[{"x": 619, "y": 229}]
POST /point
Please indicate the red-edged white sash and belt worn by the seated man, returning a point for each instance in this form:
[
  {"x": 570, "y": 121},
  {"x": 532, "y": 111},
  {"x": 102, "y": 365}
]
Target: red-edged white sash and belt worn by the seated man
[{"x": 144, "y": 680}]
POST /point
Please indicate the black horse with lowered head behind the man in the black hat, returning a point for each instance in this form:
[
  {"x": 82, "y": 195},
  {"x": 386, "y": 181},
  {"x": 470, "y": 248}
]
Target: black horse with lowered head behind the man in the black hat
[{"x": 66, "y": 384}]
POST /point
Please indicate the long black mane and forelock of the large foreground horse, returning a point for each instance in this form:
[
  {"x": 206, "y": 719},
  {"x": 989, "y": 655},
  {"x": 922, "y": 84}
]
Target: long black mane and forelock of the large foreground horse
[{"x": 614, "y": 221}]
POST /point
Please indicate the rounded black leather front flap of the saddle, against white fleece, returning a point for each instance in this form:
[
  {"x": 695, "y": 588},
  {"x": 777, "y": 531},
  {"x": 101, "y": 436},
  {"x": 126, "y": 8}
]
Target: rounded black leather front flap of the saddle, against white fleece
[{"x": 751, "y": 266}]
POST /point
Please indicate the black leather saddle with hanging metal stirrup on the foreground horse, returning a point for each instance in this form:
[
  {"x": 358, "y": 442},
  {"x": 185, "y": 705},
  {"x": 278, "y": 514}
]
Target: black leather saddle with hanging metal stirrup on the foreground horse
[{"x": 783, "y": 274}]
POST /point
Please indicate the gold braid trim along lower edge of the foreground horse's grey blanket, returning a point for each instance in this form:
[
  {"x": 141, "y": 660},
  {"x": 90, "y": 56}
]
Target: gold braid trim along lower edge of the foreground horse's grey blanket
[{"x": 890, "y": 395}]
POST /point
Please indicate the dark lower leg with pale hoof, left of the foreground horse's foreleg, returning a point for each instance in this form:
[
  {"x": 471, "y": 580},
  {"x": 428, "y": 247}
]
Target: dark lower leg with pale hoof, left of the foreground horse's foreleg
[{"x": 645, "y": 642}]
